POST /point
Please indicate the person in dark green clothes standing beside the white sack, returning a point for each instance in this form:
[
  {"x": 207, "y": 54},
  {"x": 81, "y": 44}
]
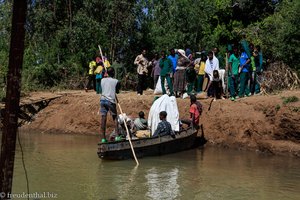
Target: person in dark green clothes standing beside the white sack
[{"x": 166, "y": 69}]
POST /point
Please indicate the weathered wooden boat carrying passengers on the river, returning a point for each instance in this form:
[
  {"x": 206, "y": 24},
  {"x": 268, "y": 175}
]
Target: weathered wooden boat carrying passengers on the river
[{"x": 183, "y": 140}]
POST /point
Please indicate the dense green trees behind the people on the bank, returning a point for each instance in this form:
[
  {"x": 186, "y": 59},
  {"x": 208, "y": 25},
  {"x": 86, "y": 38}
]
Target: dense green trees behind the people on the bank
[{"x": 62, "y": 36}]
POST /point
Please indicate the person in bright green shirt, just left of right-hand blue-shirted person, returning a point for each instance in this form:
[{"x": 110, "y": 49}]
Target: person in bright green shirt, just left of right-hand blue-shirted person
[{"x": 234, "y": 63}]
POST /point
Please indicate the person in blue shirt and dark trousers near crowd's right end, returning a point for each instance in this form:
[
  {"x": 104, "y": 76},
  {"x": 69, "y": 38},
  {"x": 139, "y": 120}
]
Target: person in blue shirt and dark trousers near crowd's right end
[{"x": 244, "y": 73}]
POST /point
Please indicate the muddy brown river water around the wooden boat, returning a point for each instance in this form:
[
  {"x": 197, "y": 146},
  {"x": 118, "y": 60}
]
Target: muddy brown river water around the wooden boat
[{"x": 67, "y": 167}]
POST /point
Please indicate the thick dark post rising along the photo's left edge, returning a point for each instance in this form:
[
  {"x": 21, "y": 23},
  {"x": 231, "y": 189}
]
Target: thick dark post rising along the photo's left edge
[{"x": 10, "y": 121}]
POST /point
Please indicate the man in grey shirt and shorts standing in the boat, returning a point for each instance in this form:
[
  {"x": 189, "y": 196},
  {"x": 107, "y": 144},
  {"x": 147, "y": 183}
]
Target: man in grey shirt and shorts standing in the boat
[{"x": 110, "y": 86}]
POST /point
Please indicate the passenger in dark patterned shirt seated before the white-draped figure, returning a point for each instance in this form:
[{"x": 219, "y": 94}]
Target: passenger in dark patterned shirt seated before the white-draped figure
[{"x": 164, "y": 127}]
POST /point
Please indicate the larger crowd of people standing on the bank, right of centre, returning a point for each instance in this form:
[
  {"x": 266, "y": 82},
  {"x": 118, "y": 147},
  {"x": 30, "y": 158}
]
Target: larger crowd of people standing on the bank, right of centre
[{"x": 192, "y": 73}]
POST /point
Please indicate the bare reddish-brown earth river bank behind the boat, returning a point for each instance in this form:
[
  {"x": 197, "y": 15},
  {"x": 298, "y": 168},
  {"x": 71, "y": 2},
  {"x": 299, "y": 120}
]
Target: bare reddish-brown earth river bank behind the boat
[{"x": 258, "y": 123}]
